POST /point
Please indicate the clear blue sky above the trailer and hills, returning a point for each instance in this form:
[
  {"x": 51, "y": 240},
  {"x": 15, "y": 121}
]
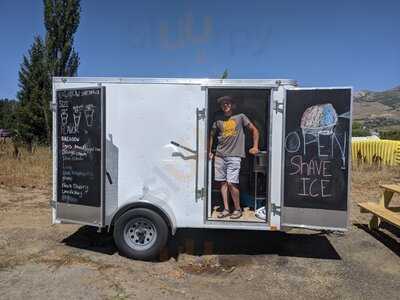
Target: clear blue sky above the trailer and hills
[{"x": 319, "y": 43}]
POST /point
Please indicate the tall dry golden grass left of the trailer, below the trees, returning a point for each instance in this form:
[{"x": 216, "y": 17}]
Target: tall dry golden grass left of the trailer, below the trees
[{"x": 29, "y": 170}]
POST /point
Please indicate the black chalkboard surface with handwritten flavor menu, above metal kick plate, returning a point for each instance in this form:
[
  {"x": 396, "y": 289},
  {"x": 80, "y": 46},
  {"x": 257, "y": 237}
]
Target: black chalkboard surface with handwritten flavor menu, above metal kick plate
[{"x": 79, "y": 146}]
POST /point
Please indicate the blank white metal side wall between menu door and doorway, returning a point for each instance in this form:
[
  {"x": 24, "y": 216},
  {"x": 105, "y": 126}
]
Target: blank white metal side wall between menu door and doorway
[{"x": 142, "y": 120}]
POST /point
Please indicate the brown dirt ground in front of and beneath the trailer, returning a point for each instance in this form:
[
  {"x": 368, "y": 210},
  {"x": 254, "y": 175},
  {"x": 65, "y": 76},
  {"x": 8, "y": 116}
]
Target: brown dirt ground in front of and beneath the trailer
[{"x": 41, "y": 261}]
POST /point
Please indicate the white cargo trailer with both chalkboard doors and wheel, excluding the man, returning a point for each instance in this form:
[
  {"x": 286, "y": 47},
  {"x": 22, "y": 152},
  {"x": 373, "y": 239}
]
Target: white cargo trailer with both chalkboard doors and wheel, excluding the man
[{"x": 132, "y": 154}]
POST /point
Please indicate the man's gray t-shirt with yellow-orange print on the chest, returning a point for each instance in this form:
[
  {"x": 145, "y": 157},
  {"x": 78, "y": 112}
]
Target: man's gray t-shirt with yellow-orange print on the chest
[{"x": 230, "y": 135}]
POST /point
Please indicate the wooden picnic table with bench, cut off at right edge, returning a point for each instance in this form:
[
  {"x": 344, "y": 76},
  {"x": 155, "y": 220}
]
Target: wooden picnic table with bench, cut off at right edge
[{"x": 381, "y": 210}]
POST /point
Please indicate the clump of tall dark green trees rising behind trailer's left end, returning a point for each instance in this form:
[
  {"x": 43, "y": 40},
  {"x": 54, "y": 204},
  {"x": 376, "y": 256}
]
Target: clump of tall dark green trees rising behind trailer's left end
[{"x": 55, "y": 56}]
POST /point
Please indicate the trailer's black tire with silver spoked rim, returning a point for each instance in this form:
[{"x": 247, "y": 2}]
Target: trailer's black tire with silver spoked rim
[{"x": 136, "y": 226}]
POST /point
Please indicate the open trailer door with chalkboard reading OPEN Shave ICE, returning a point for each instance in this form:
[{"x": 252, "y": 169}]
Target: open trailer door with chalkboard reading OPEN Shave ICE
[{"x": 317, "y": 144}]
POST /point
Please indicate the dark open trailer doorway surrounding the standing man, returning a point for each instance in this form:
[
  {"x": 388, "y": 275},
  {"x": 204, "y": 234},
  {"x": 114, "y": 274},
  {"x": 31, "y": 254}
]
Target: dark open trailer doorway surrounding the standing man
[{"x": 254, "y": 170}]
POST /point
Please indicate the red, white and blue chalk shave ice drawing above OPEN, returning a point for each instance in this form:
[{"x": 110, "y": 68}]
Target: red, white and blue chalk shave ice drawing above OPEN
[{"x": 319, "y": 119}]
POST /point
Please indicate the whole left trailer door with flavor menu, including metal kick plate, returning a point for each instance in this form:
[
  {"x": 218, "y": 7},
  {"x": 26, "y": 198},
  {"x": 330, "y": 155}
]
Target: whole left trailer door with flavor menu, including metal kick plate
[{"x": 79, "y": 154}]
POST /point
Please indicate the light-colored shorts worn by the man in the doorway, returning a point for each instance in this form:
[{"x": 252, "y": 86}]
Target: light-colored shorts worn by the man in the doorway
[{"x": 227, "y": 168}]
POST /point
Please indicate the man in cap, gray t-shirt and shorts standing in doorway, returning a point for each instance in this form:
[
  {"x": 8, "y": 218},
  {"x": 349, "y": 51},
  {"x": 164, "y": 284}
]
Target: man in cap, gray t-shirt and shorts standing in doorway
[{"x": 230, "y": 150}]
